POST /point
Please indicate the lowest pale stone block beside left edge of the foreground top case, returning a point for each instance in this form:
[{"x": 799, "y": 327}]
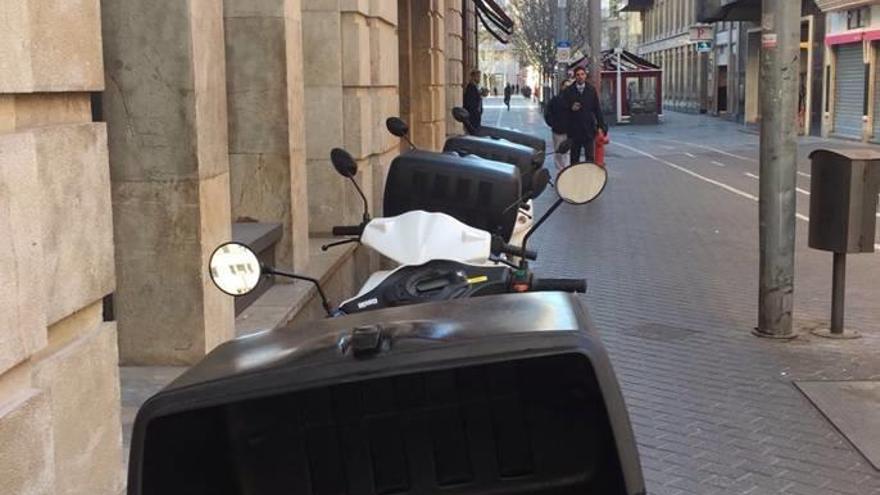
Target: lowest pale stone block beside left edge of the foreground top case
[{"x": 82, "y": 383}]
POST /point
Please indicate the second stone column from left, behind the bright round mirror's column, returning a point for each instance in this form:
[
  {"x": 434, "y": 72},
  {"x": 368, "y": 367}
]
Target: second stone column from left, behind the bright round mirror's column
[{"x": 267, "y": 162}]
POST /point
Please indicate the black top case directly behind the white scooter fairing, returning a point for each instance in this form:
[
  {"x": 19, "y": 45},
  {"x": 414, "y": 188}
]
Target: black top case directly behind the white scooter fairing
[{"x": 478, "y": 192}]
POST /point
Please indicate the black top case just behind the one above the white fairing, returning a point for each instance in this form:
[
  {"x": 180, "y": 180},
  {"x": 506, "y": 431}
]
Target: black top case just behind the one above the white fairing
[{"x": 525, "y": 158}]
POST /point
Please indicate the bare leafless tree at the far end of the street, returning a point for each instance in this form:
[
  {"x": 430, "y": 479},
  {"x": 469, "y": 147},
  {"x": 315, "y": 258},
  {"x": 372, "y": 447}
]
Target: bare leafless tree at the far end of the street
[{"x": 535, "y": 34}]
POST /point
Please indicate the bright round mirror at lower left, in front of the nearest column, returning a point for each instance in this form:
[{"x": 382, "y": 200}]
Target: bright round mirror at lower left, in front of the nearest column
[{"x": 235, "y": 269}]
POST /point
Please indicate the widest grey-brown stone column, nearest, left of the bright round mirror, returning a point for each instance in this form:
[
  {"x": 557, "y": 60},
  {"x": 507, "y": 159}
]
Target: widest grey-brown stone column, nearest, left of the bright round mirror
[{"x": 166, "y": 110}]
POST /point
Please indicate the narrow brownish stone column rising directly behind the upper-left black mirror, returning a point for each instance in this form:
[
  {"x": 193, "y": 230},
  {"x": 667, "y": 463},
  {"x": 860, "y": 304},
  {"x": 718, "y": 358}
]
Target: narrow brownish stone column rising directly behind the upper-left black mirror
[{"x": 428, "y": 76}]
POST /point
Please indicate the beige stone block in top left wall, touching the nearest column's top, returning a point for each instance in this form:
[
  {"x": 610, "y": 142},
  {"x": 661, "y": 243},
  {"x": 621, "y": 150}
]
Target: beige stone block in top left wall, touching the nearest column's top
[{"x": 65, "y": 42}]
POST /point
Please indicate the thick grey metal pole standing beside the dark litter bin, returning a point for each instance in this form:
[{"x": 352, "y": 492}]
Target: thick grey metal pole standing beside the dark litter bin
[{"x": 780, "y": 67}]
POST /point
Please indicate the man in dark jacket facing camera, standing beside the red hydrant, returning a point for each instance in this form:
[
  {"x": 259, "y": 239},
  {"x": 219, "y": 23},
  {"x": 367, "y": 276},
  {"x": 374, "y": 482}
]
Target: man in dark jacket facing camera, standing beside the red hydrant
[{"x": 584, "y": 116}]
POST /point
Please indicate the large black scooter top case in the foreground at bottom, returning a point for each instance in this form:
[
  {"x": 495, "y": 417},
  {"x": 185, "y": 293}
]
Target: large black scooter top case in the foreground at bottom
[{"x": 508, "y": 394}]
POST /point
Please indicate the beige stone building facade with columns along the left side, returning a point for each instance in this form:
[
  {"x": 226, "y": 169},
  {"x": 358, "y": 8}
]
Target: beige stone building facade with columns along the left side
[{"x": 134, "y": 137}]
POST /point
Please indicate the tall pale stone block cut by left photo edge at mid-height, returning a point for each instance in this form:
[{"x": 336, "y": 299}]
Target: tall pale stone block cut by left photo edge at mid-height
[{"x": 22, "y": 301}]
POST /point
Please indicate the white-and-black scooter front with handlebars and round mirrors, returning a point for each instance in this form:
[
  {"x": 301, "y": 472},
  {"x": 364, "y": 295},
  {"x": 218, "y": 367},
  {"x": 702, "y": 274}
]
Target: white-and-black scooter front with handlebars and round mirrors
[{"x": 439, "y": 257}]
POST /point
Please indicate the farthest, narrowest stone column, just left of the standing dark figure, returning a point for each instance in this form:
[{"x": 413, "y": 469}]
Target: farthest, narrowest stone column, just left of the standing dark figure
[{"x": 455, "y": 75}]
